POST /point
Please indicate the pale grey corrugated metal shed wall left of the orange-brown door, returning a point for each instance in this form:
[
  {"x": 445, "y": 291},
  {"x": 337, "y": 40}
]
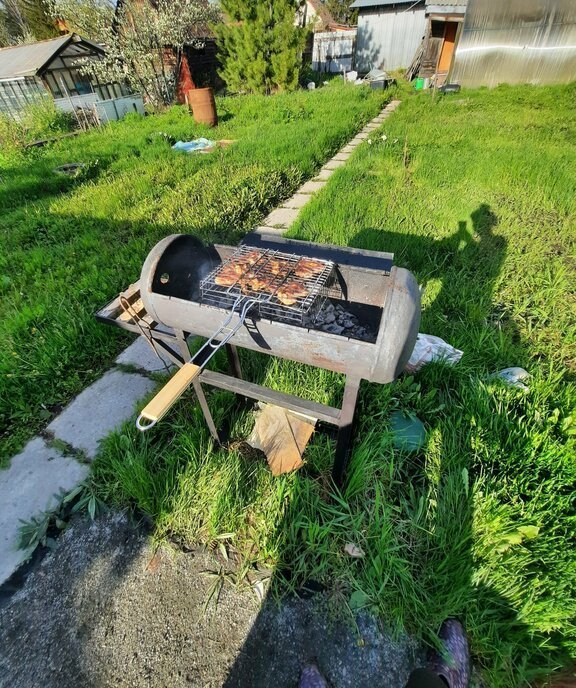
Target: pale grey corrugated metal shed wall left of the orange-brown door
[{"x": 388, "y": 36}]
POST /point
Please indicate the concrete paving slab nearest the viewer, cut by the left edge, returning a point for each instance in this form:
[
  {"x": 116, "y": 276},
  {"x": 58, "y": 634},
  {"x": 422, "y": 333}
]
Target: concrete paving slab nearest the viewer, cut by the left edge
[{"x": 27, "y": 489}]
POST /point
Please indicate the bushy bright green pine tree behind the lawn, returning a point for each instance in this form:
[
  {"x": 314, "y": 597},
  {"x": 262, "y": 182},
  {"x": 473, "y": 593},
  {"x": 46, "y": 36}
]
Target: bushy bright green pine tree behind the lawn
[{"x": 260, "y": 46}]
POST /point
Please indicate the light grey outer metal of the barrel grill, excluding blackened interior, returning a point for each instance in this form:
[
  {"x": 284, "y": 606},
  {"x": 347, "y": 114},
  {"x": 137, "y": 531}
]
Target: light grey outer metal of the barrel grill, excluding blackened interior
[{"x": 394, "y": 291}]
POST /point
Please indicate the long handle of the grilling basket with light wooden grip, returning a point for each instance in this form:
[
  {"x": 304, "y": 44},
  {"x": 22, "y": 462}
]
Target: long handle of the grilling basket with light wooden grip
[{"x": 156, "y": 409}]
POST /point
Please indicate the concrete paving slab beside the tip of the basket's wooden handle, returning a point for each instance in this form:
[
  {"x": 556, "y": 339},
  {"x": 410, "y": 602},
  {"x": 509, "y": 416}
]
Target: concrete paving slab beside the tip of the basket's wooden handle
[{"x": 100, "y": 409}]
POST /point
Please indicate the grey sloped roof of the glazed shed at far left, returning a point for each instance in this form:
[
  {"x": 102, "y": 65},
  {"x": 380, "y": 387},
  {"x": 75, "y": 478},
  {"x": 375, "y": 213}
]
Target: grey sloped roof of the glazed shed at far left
[{"x": 27, "y": 60}]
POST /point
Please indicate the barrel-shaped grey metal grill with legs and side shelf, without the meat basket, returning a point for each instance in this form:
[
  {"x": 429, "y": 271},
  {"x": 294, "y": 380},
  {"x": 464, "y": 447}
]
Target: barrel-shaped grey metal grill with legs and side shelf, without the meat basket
[{"x": 172, "y": 305}]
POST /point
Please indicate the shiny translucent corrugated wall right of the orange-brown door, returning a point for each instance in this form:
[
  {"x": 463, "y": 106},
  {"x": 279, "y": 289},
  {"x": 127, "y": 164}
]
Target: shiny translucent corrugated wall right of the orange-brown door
[{"x": 517, "y": 41}]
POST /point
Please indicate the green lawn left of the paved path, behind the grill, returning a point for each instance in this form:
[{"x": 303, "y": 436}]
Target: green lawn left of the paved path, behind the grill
[{"x": 70, "y": 245}]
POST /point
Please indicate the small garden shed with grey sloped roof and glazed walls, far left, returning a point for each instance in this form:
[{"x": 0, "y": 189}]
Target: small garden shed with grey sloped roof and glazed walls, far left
[{"x": 52, "y": 68}]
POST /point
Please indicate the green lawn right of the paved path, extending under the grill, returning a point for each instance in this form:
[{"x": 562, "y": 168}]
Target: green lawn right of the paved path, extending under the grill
[{"x": 475, "y": 193}]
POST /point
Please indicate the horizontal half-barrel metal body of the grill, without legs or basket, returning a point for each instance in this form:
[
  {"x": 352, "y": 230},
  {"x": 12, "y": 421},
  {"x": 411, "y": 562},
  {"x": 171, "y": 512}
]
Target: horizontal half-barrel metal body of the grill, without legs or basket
[{"x": 170, "y": 290}]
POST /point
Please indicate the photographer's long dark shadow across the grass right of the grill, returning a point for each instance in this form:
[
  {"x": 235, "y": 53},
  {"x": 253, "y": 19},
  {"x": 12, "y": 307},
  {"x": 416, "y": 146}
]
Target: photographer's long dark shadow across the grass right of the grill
[{"x": 431, "y": 500}]
